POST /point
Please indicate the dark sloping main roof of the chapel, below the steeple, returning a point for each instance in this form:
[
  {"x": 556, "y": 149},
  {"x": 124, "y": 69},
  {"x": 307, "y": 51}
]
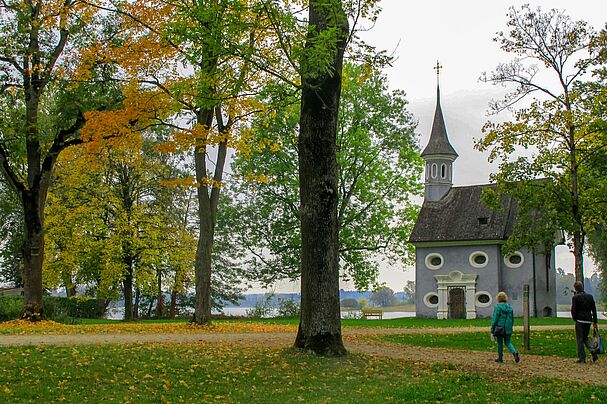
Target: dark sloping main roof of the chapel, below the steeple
[{"x": 461, "y": 216}]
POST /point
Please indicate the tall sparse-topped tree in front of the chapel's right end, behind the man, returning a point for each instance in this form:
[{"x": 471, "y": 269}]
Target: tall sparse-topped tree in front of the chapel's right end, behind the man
[{"x": 555, "y": 125}]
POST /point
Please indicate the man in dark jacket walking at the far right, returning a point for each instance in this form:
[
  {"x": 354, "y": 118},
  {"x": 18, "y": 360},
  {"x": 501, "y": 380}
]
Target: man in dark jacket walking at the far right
[{"x": 583, "y": 312}]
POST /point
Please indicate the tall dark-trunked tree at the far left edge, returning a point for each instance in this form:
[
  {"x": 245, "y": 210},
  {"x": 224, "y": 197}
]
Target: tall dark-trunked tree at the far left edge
[{"x": 43, "y": 109}]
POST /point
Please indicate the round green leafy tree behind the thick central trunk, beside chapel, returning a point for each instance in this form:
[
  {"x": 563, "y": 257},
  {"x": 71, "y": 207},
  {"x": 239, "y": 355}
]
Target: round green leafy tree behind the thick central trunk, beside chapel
[{"x": 378, "y": 173}]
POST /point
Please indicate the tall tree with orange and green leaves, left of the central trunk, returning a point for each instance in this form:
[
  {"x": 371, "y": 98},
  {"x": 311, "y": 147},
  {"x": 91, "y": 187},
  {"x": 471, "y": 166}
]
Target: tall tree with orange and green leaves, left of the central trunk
[{"x": 219, "y": 42}]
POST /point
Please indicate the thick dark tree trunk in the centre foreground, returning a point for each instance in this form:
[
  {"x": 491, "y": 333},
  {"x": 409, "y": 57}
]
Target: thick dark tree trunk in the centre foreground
[{"x": 320, "y": 322}]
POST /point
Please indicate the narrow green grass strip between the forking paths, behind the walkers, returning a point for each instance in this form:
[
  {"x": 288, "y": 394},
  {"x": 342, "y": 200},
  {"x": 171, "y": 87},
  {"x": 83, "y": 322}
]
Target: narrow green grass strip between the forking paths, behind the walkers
[{"x": 545, "y": 342}]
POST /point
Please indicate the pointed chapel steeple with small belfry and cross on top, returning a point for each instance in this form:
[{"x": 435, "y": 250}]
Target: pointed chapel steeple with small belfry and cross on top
[{"x": 439, "y": 154}]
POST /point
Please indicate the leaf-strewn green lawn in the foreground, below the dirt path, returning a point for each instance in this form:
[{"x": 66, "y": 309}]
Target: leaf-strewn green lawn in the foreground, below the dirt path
[{"x": 221, "y": 373}]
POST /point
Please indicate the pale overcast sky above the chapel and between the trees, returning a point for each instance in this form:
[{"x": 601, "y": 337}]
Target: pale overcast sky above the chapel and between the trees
[{"x": 459, "y": 34}]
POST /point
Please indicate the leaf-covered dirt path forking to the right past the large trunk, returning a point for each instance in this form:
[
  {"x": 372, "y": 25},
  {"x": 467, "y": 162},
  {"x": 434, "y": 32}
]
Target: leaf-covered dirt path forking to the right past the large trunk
[{"x": 531, "y": 366}]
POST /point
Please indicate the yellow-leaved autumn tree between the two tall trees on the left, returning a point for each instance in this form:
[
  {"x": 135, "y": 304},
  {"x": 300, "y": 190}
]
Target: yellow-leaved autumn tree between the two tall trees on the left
[{"x": 114, "y": 223}]
